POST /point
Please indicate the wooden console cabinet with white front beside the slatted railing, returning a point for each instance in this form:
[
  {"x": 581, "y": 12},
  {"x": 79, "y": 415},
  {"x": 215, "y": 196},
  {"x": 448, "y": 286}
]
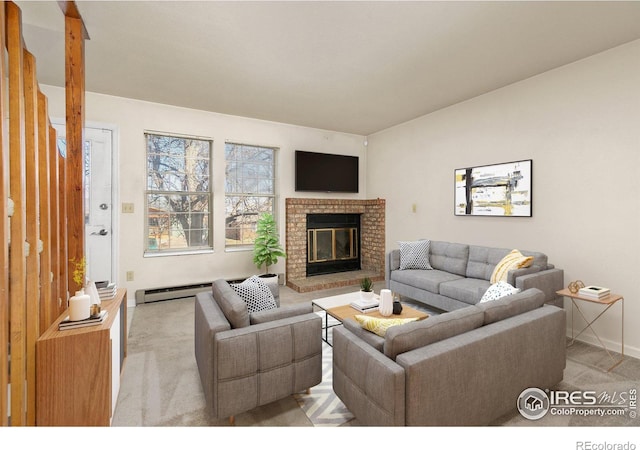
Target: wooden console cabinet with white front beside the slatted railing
[{"x": 78, "y": 370}]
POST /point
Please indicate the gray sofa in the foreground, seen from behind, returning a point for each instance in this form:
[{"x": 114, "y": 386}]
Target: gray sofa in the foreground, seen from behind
[{"x": 460, "y": 368}]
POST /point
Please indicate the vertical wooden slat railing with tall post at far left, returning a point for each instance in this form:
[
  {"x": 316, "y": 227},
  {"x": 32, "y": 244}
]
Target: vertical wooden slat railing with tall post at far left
[{"x": 41, "y": 206}]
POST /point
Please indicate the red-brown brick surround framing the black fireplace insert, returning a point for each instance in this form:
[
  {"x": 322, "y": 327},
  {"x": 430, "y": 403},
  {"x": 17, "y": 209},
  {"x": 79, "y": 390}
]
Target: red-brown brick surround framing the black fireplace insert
[{"x": 372, "y": 232}]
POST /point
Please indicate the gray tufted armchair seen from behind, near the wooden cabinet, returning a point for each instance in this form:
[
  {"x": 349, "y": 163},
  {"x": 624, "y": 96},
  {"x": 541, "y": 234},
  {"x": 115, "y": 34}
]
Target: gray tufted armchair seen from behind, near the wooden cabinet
[{"x": 249, "y": 360}]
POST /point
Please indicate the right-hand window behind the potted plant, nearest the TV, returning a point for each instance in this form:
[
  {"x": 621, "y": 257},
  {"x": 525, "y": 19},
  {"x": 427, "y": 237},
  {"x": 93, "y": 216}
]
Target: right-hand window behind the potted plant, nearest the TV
[{"x": 249, "y": 191}]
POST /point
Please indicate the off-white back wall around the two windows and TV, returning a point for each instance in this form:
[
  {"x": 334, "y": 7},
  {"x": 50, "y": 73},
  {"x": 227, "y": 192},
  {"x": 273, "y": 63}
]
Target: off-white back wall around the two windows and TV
[{"x": 132, "y": 118}]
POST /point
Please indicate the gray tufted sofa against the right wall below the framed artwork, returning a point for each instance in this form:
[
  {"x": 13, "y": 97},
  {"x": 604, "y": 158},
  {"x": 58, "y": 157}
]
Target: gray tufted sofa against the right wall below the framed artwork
[{"x": 461, "y": 275}]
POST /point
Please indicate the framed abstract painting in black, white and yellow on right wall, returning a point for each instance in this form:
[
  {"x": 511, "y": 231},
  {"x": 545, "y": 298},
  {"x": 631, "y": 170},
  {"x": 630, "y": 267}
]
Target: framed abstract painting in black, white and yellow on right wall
[{"x": 494, "y": 190}]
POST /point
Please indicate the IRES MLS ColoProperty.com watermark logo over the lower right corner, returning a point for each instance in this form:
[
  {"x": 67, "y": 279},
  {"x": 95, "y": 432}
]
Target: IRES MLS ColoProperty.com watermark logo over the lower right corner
[{"x": 534, "y": 404}]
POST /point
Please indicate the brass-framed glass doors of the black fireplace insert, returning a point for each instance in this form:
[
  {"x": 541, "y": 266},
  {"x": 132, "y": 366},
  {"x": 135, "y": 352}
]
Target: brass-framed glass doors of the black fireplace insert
[{"x": 332, "y": 244}]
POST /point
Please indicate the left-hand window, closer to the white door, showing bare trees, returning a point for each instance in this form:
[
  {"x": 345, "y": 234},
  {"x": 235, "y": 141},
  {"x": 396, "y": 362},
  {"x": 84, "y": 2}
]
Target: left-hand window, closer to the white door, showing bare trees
[{"x": 178, "y": 194}]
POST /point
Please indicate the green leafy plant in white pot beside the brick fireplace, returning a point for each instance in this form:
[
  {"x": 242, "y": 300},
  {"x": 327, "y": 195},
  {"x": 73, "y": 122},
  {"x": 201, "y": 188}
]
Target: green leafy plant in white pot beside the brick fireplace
[{"x": 267, "y": 249}]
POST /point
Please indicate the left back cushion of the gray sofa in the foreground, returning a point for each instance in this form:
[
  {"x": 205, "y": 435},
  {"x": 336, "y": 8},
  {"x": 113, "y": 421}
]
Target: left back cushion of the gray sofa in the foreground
[{"x": 433, "y": 329}]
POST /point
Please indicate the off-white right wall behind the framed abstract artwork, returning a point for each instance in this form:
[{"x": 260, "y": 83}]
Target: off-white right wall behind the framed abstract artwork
[{"x": 580, "y": 124}]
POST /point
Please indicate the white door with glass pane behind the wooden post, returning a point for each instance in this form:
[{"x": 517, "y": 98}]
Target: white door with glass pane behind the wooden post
[{"x": 98, "y": 202}]
